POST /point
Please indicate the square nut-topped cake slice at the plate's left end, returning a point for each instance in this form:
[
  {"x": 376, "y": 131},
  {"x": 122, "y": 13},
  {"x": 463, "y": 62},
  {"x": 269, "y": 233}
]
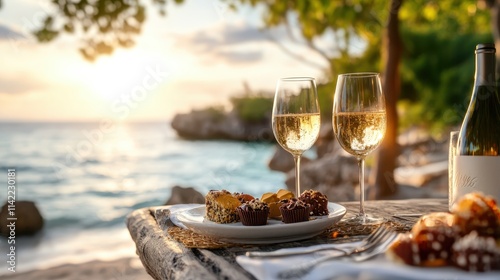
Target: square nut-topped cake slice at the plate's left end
[{"x": 221, "y": 207}]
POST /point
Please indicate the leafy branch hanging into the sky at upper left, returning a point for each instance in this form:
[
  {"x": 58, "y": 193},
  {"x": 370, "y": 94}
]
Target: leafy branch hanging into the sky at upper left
[{"x": 103, "y": 25}]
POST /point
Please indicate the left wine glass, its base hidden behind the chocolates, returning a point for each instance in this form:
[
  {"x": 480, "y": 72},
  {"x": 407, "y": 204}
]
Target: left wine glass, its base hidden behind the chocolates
[{"x": 296, "y": 119}]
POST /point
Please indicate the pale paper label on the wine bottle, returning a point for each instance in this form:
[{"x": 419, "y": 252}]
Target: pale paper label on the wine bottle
[{"x": 476, "y": 174}]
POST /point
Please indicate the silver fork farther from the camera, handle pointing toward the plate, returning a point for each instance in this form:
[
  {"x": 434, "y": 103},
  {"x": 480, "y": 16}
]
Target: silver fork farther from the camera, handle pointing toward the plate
[{"x": 367, "y": 243}]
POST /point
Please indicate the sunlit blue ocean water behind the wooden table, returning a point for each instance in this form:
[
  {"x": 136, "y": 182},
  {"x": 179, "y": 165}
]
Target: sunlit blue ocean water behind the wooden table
[{"x": 86, "y": 177}]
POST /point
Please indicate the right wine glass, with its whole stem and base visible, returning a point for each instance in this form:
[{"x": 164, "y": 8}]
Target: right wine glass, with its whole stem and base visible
[{"x": 359, "y": 123}]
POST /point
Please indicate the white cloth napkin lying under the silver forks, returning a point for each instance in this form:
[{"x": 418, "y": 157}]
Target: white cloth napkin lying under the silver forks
[{"x": 377, "y": 268}]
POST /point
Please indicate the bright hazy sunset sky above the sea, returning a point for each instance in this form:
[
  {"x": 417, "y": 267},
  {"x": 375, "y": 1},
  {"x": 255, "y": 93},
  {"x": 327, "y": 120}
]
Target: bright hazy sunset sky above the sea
[{"x": 198, "y": 55}]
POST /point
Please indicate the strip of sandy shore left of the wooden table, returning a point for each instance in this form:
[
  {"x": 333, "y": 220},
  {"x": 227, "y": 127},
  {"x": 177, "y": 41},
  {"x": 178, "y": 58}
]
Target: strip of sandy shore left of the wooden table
[{"x": 121, "y": 269}]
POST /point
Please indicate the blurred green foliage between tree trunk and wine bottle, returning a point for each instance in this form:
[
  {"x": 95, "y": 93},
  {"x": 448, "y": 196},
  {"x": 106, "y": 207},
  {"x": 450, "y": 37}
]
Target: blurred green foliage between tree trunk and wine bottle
[{"x": 438, "y": 60}]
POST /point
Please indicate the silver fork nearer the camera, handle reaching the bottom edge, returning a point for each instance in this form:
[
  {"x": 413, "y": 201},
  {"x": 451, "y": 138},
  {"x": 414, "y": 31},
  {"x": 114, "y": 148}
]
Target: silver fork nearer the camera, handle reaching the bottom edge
[{"x": 356, "y": 255}]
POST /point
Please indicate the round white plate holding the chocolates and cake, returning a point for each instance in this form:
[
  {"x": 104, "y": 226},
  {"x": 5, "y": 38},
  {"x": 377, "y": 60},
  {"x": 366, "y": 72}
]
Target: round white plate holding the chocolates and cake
[{"x": 274, "y": 232}]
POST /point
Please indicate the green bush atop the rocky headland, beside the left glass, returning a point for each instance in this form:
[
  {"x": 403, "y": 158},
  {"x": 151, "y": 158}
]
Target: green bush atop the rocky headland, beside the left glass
[{"x": 253, "y": 108}]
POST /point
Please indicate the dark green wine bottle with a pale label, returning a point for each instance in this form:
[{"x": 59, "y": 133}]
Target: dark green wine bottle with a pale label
[{"x": 477, "y": 165}]
